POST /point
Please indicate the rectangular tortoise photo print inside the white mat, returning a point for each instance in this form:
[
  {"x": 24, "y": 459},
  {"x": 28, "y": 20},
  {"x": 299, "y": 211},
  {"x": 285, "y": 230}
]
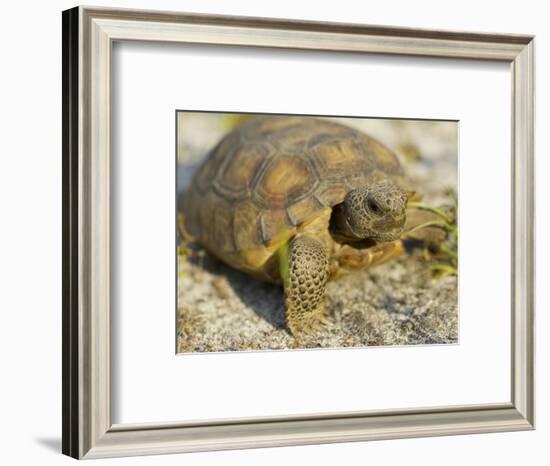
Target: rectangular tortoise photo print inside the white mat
[{"x": 312, "y": 204}]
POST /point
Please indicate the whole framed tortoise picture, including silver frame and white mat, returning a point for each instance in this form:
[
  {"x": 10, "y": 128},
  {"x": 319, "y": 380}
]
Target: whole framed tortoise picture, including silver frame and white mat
[{"x": 285, "y": 232}]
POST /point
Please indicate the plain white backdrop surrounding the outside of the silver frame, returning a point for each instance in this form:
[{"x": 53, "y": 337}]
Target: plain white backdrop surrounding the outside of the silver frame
[{"x": 31, "y": 232}]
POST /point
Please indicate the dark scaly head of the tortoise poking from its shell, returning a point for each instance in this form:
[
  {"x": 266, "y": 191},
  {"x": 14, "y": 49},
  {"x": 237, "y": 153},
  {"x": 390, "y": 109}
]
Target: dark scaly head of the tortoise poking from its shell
[{"x": 373, "y": 213}]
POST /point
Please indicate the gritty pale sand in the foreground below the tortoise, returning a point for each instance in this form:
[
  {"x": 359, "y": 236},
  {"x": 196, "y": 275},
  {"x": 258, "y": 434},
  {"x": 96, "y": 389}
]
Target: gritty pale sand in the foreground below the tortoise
[{"x": 393, "y": 304}]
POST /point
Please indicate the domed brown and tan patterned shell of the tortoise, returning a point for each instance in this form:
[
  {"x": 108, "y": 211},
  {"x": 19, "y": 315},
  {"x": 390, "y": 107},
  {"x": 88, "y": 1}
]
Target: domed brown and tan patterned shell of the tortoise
[{"x": 271, "y": 176}]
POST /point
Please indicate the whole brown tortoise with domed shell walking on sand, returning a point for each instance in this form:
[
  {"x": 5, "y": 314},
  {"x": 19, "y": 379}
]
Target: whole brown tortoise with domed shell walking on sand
[{"x": 298, "y": 201}]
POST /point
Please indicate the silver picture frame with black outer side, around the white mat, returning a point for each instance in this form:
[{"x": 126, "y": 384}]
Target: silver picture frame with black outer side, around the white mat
[{"x": 88, "y": 37}]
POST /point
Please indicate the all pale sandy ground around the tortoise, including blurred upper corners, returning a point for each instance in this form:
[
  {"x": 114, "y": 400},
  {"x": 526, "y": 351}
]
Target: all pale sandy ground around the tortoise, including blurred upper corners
[{"x": 398, "y": 303}]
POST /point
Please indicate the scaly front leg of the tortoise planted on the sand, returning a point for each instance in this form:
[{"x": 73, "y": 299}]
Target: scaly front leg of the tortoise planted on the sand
[{"x": 305, "y": 282}]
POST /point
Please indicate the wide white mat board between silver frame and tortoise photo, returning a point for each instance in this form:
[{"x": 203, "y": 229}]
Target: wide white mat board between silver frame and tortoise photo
[{"x": 195, "y": 386}]
